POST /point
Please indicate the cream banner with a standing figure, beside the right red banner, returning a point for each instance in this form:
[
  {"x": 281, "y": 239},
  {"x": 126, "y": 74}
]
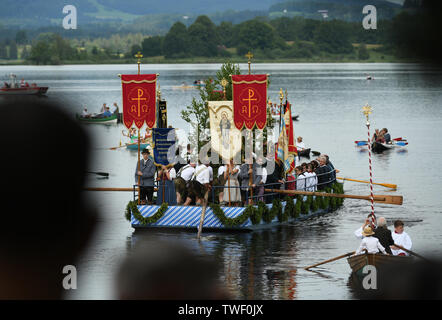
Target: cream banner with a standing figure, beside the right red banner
[{"x": 225, "y": 137}]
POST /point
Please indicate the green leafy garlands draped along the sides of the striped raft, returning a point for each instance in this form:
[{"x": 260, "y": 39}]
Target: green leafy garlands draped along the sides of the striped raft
[{"x": 258, "y": 213}]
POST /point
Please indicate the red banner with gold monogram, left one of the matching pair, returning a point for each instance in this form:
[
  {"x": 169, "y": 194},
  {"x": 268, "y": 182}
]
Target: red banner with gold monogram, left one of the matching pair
[{"x": 139, "y": 99}]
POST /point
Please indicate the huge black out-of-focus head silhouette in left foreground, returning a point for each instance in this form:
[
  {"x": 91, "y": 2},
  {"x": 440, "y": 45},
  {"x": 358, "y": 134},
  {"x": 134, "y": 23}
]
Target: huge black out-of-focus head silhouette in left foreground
[{"x": 45, "y": 222}]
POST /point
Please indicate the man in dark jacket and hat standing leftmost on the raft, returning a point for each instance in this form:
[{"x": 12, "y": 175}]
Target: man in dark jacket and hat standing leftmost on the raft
[{"x": 147, "y": 174}]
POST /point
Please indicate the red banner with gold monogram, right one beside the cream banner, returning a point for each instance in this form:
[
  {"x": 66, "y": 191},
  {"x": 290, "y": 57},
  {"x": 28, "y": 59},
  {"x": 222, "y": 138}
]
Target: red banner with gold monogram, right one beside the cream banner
[{"x": 250, "y": 101}]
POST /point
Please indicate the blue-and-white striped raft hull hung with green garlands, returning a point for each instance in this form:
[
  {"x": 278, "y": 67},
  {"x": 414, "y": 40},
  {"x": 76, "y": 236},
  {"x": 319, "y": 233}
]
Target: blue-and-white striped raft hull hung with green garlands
[{"x": 219, "y": 218}]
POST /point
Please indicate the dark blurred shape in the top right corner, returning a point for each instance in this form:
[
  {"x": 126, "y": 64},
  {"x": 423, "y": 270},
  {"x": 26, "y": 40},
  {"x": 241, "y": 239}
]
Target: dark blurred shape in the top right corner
[{"x": 415, "y": 32}]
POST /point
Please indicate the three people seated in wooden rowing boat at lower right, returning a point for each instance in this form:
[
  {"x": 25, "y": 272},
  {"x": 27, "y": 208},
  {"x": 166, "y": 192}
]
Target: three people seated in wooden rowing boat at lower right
[{"x": 378, "y": 238}]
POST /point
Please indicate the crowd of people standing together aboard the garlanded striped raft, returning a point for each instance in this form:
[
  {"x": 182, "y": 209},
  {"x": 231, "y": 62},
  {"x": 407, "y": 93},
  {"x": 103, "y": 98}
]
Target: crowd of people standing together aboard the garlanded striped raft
[{"x": 186, "y": 182}]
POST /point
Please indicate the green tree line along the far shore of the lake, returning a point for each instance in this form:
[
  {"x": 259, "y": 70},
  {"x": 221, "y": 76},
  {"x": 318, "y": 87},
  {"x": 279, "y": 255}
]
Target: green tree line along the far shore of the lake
[{"x": 282, "y": 38}]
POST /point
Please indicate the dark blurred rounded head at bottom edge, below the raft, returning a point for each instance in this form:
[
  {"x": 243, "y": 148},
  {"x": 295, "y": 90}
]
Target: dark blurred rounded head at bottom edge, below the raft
[{"x": 168, "y": 271}]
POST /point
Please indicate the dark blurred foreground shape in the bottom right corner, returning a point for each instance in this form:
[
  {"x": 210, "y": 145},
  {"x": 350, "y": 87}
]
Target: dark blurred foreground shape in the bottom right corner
[{"x": 415, "y": 281}]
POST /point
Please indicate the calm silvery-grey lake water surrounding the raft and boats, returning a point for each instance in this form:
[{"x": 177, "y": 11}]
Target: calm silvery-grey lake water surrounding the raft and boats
[{"x": 406, "y": 98}]
